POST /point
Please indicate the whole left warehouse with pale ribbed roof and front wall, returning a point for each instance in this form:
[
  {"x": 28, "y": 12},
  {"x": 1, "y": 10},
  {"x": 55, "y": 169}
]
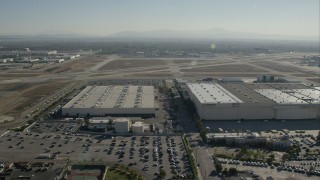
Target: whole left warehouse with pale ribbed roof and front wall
[{"x": 112, "y": 101}]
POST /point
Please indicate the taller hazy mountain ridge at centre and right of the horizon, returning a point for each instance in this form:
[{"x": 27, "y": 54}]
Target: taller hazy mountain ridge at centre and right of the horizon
[{"x": 204, "y": 34}]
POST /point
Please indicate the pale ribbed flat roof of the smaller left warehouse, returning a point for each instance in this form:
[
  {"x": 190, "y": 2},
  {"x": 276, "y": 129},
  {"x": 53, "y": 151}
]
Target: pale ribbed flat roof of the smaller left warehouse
[{"x": 114, "y": 97}]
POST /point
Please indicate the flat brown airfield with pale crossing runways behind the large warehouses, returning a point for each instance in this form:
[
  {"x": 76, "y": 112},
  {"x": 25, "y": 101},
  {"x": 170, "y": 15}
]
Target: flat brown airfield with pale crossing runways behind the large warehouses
[{"x": 23, "y": 89}]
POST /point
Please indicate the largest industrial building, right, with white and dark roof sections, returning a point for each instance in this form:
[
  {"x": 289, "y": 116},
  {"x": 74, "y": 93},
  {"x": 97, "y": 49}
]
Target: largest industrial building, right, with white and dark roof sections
[{"x": 242, "y": 101}]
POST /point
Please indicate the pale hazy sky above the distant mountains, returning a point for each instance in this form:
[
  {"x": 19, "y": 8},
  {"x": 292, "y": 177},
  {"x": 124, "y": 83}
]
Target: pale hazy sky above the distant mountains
[{"x": 103, "y": 17}]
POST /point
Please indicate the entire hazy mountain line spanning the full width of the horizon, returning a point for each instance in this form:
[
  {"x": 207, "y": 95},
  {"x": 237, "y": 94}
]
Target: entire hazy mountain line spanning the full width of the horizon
[{"x": 216, "y": 34}]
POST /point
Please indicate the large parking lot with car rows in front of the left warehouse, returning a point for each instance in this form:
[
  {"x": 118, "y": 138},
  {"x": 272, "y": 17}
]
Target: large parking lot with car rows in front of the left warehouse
[{"x": 146, "y": 154}]
